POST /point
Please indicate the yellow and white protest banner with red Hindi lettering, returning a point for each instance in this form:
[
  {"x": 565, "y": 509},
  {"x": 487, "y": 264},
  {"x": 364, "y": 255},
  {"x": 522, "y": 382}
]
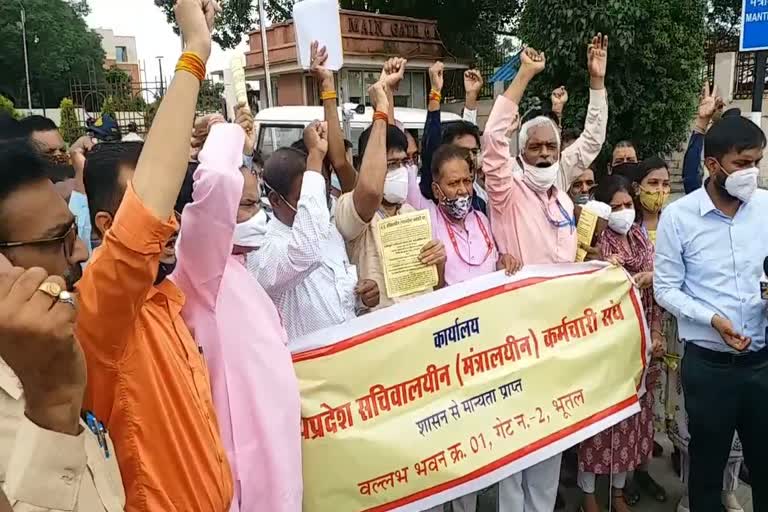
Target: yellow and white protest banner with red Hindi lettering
[{"x": 448, "y": 393}]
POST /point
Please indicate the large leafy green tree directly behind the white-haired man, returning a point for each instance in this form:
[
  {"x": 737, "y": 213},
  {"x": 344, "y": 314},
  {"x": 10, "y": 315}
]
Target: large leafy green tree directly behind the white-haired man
[{"x": 655, "y": 63}]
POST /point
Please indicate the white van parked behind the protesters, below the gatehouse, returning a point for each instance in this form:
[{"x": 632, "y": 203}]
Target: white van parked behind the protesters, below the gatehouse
[{"x": 282, "y": 126}]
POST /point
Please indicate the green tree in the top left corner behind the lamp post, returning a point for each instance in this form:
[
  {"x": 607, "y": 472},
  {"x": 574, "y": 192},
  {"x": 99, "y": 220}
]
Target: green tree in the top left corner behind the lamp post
[{"x": 60, "y": 47}]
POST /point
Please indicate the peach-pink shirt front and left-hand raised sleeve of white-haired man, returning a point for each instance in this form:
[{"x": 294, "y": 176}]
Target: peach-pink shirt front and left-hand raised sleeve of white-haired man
[{"x": 521, "y": 217}]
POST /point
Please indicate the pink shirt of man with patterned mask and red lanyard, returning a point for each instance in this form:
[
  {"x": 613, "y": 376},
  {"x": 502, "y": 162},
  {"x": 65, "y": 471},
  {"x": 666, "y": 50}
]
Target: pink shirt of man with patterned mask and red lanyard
[{"x": 469, "y": 257}]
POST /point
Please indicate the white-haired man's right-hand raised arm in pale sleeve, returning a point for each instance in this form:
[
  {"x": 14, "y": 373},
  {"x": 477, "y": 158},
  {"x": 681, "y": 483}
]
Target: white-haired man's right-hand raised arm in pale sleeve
[{"x": 581, "y": 154}]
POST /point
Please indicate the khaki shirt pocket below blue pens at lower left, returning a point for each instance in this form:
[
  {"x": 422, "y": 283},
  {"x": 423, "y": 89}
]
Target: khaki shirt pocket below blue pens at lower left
[{"x": 105, "y": 474}]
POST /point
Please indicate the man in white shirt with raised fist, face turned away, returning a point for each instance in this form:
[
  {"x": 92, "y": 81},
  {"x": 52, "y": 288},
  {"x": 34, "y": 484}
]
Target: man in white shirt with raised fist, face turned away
[{"x": 303, "y": 263}]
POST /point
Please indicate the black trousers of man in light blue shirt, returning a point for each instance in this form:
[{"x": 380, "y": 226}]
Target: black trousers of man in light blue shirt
[{"x": 725, "y": 393}]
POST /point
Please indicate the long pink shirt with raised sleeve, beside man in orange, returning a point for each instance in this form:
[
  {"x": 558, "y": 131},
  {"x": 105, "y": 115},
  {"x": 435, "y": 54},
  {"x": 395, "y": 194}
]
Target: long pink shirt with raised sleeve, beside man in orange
[{"x": 255, "y": 391}]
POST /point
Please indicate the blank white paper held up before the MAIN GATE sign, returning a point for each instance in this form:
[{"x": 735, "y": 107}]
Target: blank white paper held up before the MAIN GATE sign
[{"x": 318, "y": 20}]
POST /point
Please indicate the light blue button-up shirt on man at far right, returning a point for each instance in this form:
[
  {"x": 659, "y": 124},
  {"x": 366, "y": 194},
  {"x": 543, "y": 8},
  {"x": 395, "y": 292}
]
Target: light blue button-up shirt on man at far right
[{"x": 707, "y": 264}]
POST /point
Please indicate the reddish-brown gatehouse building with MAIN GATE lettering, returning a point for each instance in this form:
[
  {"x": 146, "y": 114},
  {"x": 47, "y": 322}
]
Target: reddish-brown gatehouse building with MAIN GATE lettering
[{"x": 368, "y": 40}]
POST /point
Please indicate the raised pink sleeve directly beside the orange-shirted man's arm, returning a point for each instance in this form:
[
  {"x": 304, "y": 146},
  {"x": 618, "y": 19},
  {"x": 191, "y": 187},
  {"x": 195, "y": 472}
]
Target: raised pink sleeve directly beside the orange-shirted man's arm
[{"x": 209, "y": 220}]
